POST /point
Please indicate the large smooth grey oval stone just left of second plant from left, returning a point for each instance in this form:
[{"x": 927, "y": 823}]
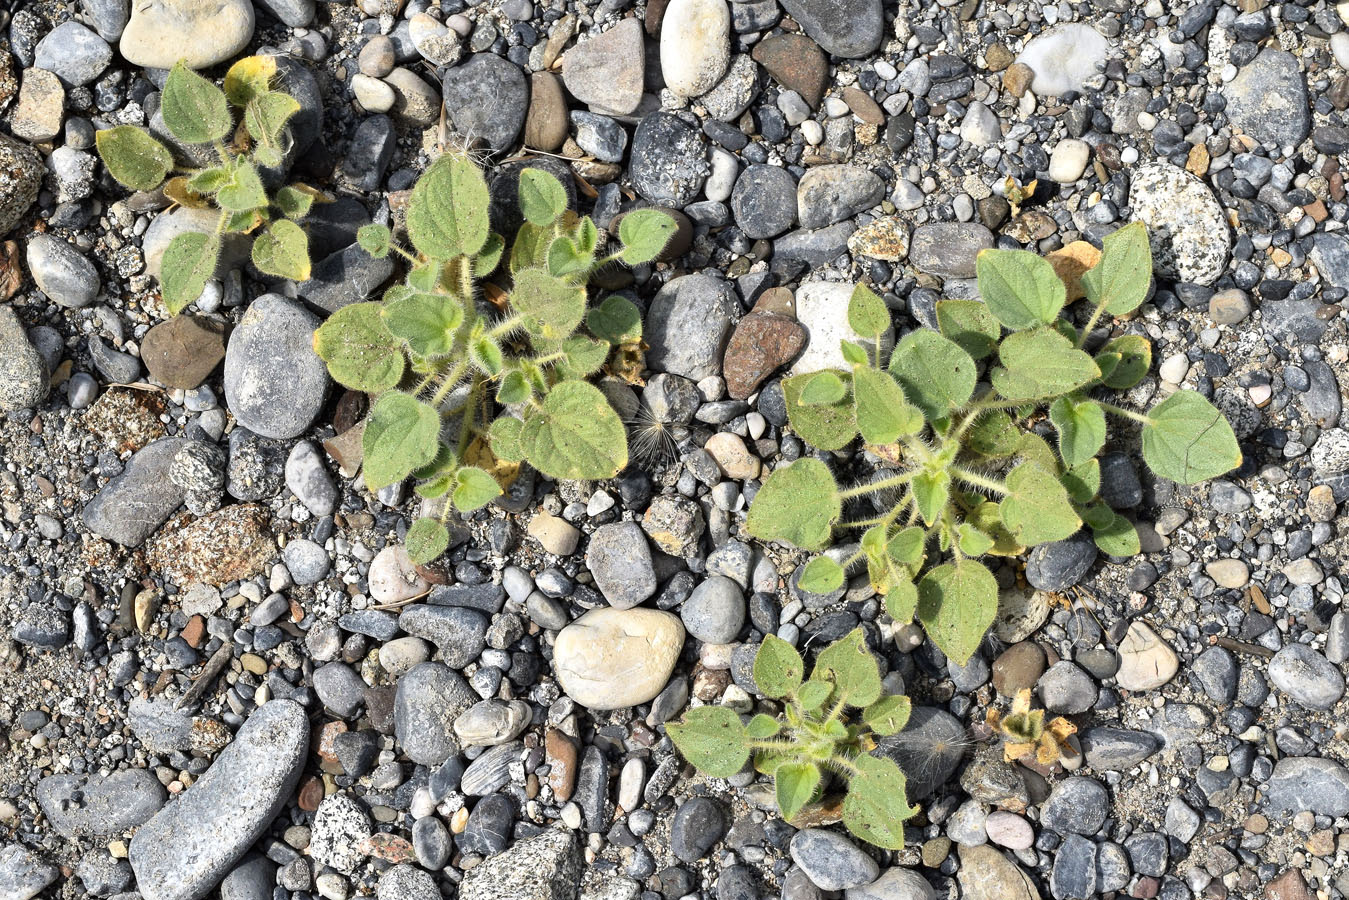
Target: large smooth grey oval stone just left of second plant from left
[{"x": 275, "y": 381}]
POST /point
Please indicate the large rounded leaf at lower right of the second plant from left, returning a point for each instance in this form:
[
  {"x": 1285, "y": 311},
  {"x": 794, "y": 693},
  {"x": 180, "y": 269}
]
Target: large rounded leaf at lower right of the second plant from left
[{"x": 575, "y": 435}]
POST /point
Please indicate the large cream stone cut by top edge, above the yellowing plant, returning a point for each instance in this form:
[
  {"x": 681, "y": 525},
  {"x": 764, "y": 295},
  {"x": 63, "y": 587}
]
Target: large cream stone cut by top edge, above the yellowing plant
[{"x": 161, "y": 33}]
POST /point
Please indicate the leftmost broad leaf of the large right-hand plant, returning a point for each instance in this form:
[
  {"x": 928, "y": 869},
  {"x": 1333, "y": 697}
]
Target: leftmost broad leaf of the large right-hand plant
[{"x": 798, "y": 505}]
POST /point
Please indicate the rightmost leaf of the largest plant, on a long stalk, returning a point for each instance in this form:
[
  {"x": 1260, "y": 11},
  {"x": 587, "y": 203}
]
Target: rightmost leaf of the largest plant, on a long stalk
[{"x": 1188, "y": 441}]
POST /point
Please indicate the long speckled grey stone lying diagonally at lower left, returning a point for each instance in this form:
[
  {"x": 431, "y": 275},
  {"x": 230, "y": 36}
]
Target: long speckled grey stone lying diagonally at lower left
[{"x": 194, "y": 843}]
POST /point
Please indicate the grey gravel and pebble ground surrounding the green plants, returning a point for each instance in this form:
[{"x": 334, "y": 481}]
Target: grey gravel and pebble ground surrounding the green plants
[{"x": 222, "y": 677}]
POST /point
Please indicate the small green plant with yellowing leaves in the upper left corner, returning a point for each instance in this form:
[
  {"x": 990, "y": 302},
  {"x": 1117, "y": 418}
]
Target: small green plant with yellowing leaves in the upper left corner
[{"x": 199, "y": 113}]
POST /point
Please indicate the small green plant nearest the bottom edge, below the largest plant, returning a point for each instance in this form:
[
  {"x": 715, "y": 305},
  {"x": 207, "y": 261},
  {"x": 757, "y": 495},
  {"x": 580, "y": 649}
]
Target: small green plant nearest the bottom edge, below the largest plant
[{"x": 813, "y": 741}]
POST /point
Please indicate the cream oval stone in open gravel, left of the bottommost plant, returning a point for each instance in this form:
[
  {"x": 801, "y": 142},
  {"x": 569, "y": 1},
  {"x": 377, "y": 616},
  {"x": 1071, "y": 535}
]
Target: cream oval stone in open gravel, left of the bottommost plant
[{"x": 613, "y": 659}]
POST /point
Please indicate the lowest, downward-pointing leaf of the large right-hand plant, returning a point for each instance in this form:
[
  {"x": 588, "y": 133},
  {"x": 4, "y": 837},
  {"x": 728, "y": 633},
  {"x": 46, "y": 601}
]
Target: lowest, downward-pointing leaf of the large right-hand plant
[{"x": 957, "y": 604}]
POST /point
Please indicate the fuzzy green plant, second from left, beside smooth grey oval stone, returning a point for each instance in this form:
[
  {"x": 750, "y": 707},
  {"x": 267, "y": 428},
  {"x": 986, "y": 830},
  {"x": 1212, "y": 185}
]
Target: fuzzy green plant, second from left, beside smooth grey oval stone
[{"x": 443, "y": 358}]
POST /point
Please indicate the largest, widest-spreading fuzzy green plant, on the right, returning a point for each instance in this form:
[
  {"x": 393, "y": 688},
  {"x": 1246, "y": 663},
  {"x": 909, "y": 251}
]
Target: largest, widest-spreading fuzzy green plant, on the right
[{"x": 973, "y": 477}]
